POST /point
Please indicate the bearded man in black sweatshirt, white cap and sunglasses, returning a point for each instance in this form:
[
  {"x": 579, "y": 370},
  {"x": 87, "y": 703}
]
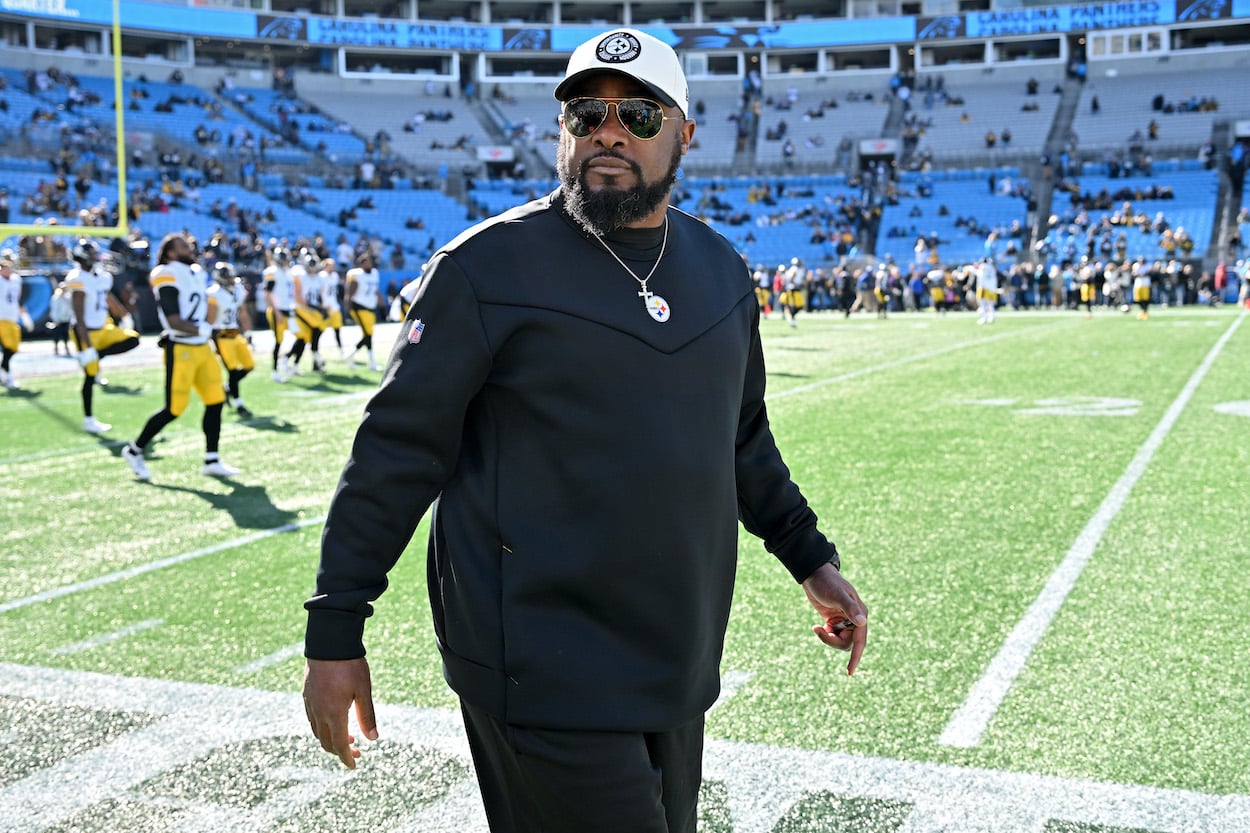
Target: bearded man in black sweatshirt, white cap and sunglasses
[{"x": 579, "y": 395}]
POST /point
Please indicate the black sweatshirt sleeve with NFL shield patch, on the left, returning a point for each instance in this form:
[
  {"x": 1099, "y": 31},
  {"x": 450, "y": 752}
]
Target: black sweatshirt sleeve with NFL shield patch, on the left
[{"x": 406, "y": 450}]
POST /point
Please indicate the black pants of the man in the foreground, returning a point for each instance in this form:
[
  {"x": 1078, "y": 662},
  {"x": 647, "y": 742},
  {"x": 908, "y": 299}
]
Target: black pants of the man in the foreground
[{"x": 554, "y": 781}]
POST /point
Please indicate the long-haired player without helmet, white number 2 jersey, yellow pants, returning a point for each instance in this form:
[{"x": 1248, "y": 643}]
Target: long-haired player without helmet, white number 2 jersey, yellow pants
[{"x": 187, "y": 315}]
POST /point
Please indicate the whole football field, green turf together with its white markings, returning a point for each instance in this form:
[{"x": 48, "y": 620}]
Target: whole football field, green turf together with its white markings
[{"x": 1048, "y": 518}]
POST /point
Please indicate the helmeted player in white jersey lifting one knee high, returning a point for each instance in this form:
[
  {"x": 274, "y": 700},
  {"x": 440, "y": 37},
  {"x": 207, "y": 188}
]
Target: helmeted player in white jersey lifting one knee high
[{"x": 96, "y": 310}]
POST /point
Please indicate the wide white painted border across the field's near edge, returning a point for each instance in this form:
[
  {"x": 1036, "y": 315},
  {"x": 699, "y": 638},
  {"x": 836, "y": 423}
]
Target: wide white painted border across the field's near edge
[{"x": 762, "y": 784}]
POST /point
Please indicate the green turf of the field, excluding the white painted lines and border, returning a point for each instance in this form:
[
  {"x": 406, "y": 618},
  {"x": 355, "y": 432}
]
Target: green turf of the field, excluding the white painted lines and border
[{"x": 952, "y": 510}]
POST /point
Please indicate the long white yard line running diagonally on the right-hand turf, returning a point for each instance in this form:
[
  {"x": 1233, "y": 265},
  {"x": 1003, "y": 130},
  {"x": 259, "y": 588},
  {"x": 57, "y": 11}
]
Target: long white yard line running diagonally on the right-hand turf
[{"x": 974, "y": 716}]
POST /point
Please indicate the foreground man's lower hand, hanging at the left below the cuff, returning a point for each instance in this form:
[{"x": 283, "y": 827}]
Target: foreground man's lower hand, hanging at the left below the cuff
[{"x": 331, "y": 687}]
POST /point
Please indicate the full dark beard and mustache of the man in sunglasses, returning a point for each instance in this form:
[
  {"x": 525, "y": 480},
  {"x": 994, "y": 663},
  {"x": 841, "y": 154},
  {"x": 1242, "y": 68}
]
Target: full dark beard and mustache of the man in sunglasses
[{"x": 608, "y": 210}]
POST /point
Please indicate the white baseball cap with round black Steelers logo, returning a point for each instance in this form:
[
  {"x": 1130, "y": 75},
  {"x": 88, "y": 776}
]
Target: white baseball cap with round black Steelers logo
[{"x": 636, "y": 54}]
